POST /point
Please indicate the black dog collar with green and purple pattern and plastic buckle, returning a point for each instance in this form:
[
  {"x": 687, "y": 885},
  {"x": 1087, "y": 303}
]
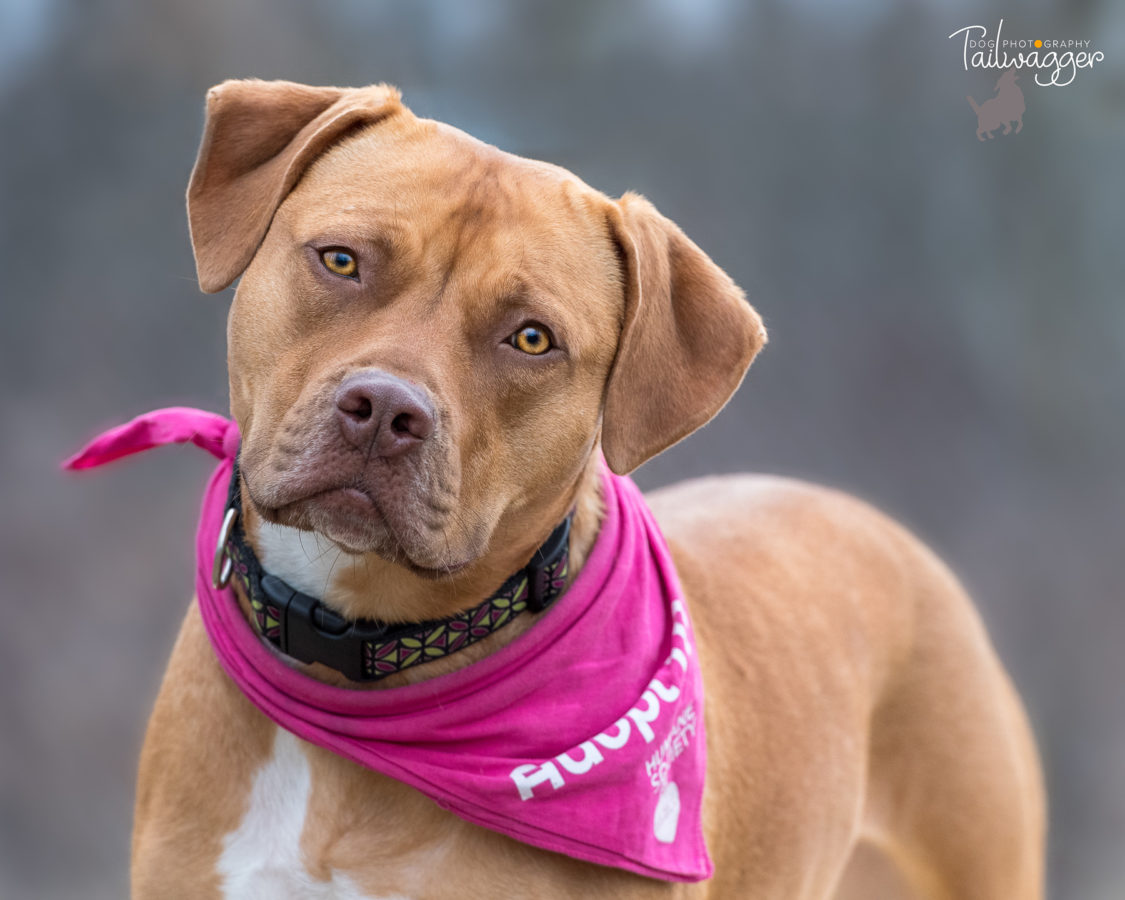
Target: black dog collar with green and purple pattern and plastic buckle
[{"x": 366, "y": 650}]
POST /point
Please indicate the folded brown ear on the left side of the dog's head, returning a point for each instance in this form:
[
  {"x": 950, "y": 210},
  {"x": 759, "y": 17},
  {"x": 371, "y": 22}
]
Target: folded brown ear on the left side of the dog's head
[{"x": 259, "y": 139}]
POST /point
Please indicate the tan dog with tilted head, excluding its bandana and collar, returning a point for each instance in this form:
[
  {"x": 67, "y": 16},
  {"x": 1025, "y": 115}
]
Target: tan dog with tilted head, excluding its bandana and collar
[{"x": 404, "y": 427}]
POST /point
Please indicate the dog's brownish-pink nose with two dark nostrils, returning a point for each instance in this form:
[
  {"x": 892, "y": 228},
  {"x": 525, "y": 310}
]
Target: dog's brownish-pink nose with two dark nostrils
[{"x": 381, "y": 413}]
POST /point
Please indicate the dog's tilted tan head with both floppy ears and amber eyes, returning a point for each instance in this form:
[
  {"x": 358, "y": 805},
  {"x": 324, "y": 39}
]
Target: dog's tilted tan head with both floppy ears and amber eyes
[{"x": 433, "y": 337}]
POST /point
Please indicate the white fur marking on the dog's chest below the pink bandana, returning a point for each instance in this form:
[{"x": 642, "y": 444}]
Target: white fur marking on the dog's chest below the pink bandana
[{"x": 262, "y": 859}]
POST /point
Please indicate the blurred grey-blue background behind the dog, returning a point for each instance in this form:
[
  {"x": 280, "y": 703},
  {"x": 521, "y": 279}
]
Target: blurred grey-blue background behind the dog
[{"x": 947, "y": 320}]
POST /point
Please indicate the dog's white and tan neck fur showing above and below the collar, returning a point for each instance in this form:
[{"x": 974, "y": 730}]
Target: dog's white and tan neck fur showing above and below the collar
[{"x": 372, "y": 588}]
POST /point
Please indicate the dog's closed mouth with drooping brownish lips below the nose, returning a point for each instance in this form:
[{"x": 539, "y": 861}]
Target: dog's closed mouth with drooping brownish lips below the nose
[{"x": 353, "y": 518}]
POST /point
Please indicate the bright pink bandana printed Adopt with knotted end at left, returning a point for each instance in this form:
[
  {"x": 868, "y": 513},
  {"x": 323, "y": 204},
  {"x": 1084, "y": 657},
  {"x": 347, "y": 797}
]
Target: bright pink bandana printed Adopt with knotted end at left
[{"x": 584, "y": 736}]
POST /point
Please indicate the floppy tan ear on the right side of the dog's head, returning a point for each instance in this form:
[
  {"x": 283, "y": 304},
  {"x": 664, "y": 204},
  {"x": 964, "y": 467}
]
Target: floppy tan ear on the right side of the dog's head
[{"x": 688, "y": 339}]
